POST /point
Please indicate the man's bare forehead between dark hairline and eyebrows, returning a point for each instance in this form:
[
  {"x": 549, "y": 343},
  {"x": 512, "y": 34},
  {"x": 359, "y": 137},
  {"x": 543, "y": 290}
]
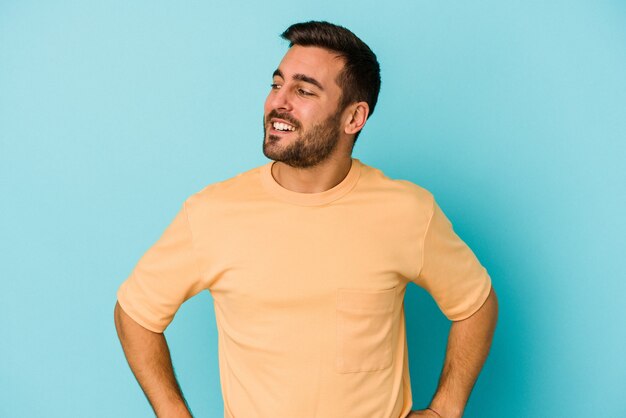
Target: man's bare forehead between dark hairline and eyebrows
[{"x": 312, "y": 61}]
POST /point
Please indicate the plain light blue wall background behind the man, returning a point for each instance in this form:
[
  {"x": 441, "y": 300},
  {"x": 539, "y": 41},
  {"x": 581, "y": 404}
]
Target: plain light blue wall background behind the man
[{"x": 512, "y": 113}]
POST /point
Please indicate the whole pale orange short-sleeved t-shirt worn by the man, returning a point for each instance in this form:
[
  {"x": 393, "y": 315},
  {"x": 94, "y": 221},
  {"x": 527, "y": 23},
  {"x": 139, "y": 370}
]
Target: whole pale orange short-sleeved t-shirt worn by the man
[{"x": 308, "y": 288}]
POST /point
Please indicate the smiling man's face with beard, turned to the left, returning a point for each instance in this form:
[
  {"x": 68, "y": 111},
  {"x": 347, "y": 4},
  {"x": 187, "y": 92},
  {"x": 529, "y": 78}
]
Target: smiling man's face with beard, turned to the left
[{"x": 302, "y": 122}]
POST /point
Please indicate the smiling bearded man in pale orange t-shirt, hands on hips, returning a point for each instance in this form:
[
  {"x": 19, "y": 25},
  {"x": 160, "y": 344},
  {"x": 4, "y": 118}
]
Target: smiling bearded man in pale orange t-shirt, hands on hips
[{"x": 307, "y": 259}]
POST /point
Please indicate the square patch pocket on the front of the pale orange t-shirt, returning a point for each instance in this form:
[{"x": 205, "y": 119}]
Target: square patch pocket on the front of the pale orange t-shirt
[{"x": 364, "y": 329}]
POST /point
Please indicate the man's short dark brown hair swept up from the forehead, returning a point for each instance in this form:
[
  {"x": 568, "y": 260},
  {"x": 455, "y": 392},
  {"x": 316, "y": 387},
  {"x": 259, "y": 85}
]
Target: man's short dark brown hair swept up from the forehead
[{"x": 360, "y": 78}]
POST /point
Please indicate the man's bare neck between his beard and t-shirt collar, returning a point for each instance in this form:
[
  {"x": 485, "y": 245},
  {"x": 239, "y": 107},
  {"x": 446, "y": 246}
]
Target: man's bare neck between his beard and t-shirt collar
[{"x": 320, "y": 178}]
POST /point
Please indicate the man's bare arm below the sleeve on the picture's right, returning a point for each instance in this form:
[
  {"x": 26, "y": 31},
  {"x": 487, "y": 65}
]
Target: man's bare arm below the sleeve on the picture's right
[{"x": 469, "y": 342}]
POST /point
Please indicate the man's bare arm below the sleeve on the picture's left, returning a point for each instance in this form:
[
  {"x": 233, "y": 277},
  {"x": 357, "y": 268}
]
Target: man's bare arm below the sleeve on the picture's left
[{"x": 149, "y": 358}]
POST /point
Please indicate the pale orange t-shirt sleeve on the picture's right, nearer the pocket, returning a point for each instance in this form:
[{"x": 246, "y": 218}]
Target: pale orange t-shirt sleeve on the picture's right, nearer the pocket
[{"x": 450, "y": 271}]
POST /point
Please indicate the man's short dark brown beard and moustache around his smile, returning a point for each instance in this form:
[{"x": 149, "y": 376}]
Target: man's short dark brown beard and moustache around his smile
[{"x": 310, "y": 148}]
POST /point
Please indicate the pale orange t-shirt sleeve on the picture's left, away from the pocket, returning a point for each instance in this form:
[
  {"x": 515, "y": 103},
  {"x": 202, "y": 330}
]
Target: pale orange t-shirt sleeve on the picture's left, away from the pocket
[{"x": 165, "y": 277}]
